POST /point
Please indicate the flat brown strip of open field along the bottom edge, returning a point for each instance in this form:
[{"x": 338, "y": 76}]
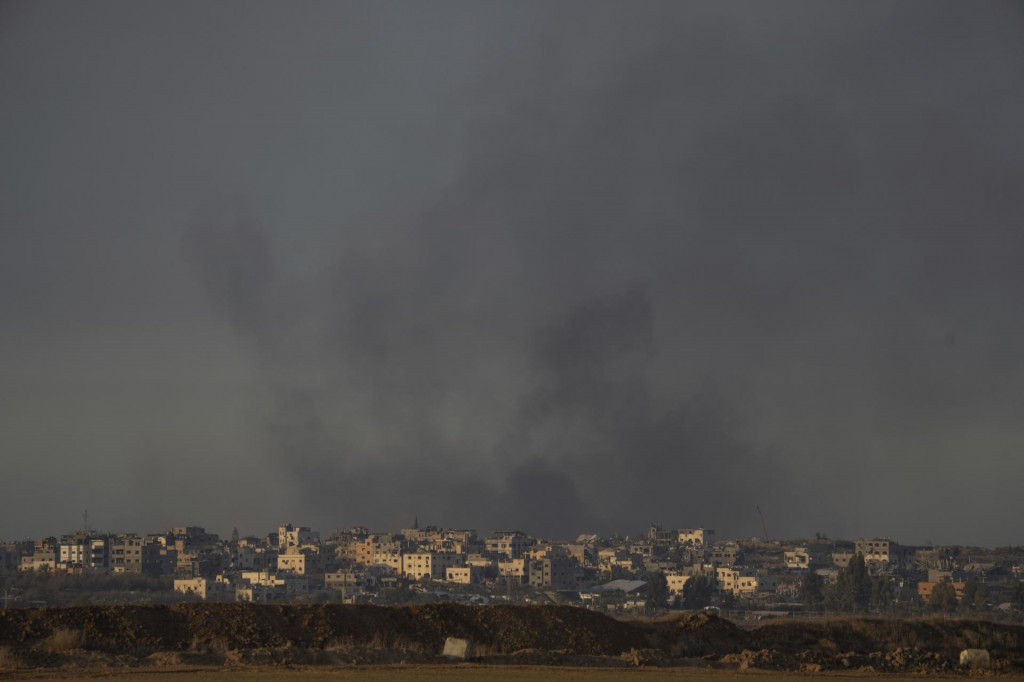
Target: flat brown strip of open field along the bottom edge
[{"x": 466, "y": 673}]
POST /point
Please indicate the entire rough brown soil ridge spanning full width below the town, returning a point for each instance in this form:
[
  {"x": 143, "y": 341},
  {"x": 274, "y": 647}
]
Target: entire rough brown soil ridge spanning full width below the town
[{"x": 335, "y": 634}]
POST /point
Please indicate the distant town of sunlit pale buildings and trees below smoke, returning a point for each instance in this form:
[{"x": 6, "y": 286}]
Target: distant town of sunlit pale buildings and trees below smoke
[{"x": 665, "y": 569}]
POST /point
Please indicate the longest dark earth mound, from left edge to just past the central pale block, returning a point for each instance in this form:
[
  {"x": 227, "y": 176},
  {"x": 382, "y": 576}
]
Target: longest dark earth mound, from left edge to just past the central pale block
[{"x": 144, "y": 630}]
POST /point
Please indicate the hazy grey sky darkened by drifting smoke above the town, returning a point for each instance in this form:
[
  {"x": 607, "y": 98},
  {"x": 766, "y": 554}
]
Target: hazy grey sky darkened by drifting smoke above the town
[{"x": 564, "y": 267}]
